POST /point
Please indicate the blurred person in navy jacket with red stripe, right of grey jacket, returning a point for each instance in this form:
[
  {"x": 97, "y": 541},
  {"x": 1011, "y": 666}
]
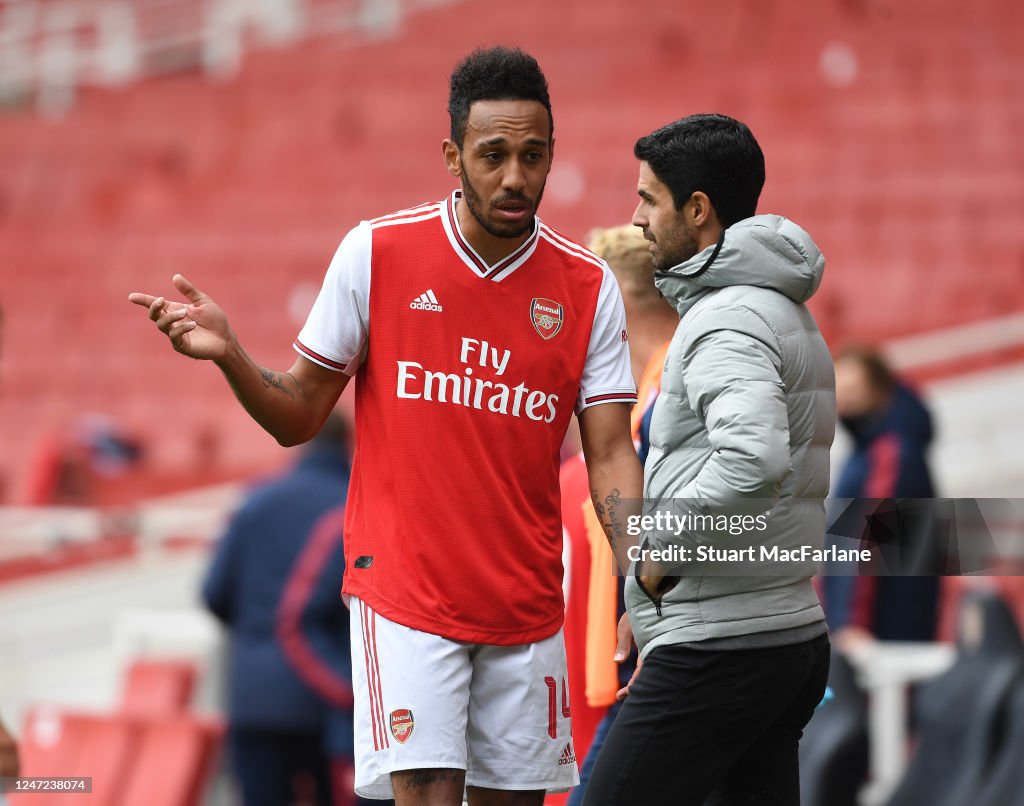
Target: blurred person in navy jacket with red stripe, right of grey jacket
[{"x": 891, "y": 431}]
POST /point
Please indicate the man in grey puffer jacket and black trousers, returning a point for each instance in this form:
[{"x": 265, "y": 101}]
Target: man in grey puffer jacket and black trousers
[{"x": 736, "y": 656}]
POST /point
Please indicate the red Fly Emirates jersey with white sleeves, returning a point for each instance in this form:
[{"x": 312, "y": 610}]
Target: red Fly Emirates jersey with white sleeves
[{"x": 466, "y": 377}]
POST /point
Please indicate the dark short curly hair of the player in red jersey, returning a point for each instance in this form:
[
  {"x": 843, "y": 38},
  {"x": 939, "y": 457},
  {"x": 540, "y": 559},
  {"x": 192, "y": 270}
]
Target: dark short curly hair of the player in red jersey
[{"x": 495, "y": 74}]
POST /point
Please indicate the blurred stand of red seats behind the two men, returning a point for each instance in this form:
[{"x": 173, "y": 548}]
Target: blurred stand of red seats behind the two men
[{"x": 891, "y": 130}]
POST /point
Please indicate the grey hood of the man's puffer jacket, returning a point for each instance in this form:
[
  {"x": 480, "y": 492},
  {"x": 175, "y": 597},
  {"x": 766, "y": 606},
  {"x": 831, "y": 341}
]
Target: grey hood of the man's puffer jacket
[{"x": 766, "y": 251}]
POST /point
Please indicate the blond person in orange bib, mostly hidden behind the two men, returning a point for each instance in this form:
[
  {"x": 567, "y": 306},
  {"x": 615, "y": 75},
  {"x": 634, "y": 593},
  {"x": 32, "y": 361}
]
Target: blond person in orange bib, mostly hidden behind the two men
[{"x": 594, "y": 605}]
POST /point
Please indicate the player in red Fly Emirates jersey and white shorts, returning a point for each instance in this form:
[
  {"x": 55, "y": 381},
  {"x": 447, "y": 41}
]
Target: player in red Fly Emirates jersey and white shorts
[{"x": 475, "y": 333}]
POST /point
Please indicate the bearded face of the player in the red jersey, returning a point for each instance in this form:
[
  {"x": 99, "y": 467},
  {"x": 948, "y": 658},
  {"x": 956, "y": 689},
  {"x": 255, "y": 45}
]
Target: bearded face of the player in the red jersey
[{"x": 504, "y": 164}]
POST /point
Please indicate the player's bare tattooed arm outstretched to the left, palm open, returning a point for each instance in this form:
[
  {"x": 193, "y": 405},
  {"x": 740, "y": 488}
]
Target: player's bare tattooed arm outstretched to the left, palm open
[{"x": 291, "y": 406}]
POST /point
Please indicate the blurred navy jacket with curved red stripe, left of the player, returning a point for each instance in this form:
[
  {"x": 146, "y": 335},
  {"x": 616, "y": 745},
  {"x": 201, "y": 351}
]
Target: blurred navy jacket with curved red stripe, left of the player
[{"x": 275, "y": 582}]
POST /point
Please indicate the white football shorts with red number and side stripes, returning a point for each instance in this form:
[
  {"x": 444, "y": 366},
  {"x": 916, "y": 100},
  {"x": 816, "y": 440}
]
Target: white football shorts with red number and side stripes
[{"x": 500, "y": 713}]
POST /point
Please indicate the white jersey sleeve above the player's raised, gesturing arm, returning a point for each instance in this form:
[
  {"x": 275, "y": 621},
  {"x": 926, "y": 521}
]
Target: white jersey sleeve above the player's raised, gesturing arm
[{"x": 335, "y": 333}]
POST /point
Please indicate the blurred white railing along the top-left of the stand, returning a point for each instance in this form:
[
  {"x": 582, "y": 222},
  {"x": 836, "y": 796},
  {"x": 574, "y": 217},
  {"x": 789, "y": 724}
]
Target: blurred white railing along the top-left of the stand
[{"x": 49, "y": 49}]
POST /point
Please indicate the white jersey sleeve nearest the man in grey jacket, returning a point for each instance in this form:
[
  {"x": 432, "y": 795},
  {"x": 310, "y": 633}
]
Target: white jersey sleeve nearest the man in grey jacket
[{"x": 608, "y": 376}]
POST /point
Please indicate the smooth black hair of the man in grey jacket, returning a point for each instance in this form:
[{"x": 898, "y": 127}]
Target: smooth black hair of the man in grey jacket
[{"x": 710, "y": 153}]
